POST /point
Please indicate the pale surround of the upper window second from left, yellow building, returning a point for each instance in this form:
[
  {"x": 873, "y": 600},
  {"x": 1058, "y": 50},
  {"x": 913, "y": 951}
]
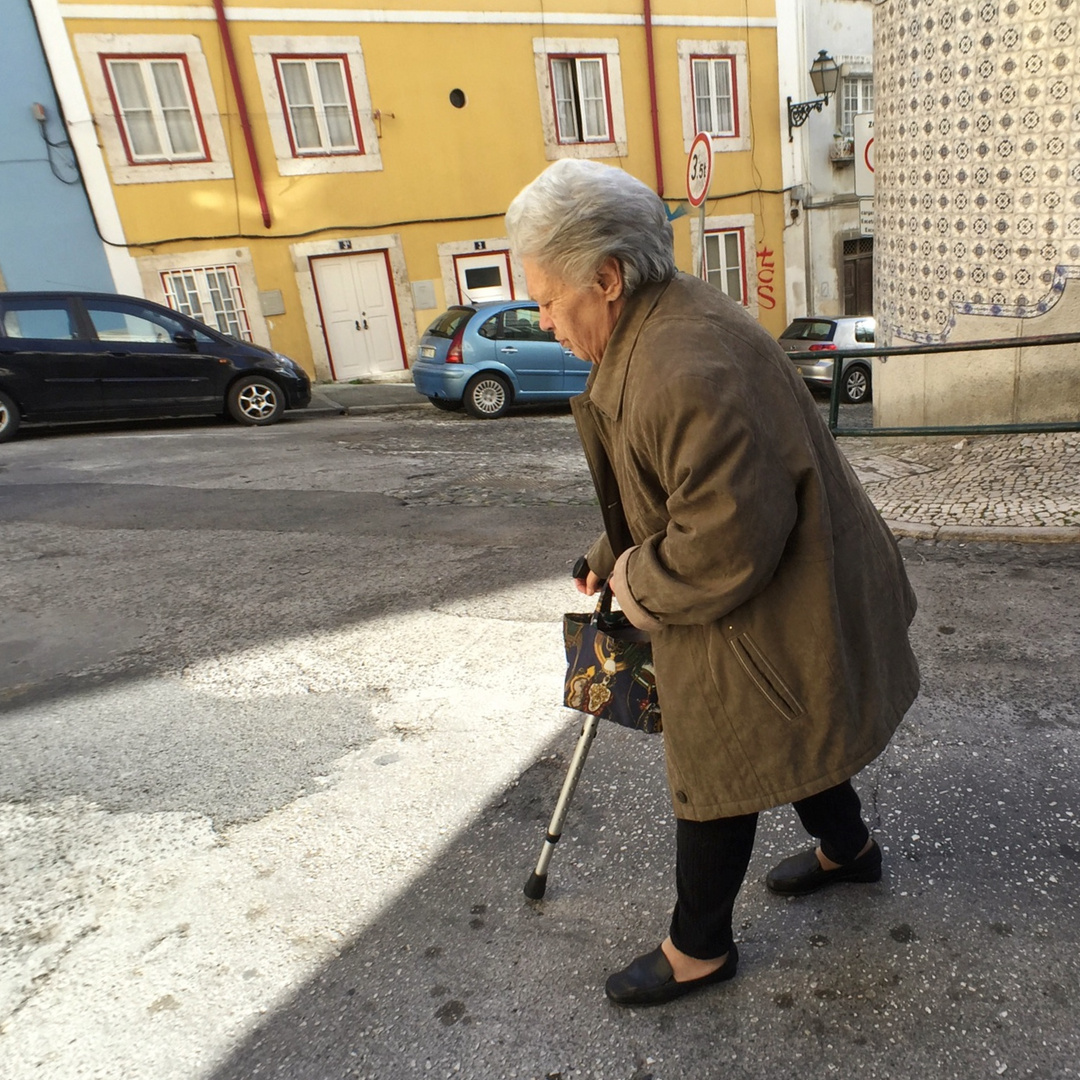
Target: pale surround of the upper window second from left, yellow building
[{"x": 268, "y": 52}]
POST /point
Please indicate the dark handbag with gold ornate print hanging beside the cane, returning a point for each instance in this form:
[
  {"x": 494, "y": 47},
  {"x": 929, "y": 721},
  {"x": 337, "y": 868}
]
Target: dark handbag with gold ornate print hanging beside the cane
[{"x": 610, "y": 668}]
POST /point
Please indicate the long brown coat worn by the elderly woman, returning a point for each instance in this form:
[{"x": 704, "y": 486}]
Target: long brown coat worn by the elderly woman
[{"x": 776, "y": 595}]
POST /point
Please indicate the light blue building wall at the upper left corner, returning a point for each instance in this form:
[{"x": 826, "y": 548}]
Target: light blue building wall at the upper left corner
[{"x": 47, "y": 232}]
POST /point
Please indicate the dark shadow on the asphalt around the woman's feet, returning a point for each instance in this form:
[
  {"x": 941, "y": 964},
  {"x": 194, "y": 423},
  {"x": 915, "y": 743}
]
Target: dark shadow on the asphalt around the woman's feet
[{"x": 962, "y": 963}]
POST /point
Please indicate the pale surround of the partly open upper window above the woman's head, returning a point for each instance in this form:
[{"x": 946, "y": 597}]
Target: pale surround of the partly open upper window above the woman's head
[{"x": 605, "y": 50}]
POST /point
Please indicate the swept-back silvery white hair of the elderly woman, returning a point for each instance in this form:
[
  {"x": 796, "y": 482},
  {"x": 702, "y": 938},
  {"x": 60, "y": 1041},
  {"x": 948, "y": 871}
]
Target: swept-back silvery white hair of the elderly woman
[{"x": 576, "y": 214}]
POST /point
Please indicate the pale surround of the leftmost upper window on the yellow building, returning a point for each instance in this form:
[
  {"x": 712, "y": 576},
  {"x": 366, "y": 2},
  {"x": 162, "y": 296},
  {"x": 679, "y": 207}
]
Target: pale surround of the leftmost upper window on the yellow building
[{"x": 212, "y": 166}]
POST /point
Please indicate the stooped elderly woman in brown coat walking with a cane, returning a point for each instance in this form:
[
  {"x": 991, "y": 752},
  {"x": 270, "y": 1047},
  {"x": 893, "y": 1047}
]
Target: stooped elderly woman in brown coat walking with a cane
[{"x": 737, "y": 534}]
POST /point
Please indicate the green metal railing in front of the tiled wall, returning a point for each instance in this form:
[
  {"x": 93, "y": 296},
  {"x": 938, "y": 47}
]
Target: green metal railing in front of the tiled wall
[{"x": 841, "y": 356}]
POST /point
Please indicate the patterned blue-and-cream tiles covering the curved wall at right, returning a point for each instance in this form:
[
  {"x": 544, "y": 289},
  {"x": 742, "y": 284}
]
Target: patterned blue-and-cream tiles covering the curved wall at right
[{"x": 978, "y": 161}]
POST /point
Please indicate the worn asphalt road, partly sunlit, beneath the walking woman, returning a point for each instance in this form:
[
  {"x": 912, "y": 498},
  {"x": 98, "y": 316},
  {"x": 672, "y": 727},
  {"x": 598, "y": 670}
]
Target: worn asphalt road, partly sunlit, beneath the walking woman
[{"x": 280, "y": 735}]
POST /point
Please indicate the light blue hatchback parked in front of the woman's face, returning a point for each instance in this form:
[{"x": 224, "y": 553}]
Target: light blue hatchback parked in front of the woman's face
[{"x": 488, "y": 357}]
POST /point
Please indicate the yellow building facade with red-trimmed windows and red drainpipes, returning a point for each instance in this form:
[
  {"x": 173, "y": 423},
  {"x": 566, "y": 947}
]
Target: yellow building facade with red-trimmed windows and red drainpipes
[{"x": 327, "y": 180}]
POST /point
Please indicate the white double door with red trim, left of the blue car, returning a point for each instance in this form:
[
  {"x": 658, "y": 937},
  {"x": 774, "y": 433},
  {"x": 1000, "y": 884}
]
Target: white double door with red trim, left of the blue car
[{"x": 360, "y": 320}]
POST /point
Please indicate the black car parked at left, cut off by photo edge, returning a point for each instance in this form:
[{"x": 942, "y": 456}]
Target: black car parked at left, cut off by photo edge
[{"x": 67, "y": 357}]
